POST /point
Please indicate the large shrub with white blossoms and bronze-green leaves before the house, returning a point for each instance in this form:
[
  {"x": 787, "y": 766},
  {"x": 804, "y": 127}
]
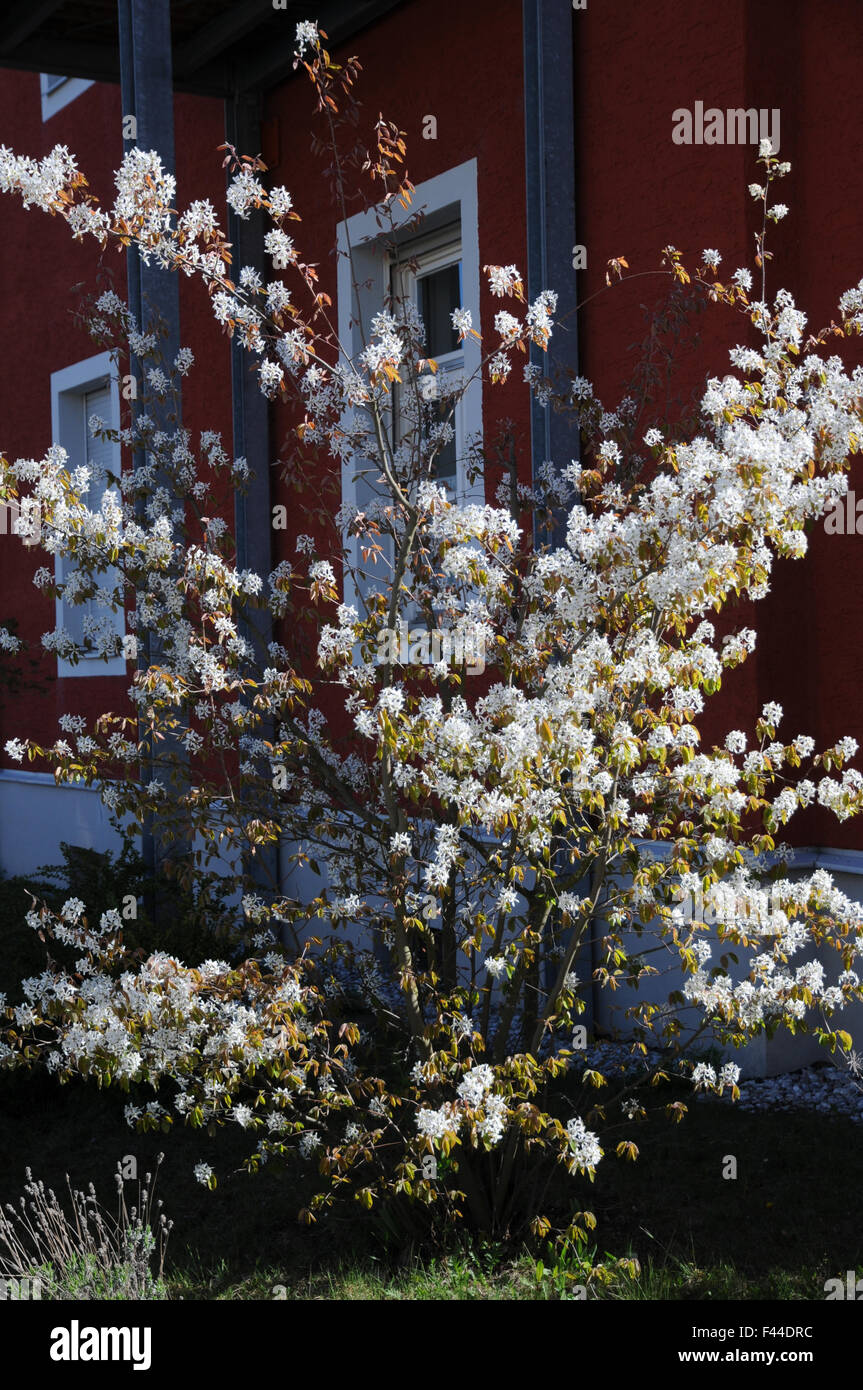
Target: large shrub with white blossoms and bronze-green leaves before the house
[{"x": 413, "y": 1031}]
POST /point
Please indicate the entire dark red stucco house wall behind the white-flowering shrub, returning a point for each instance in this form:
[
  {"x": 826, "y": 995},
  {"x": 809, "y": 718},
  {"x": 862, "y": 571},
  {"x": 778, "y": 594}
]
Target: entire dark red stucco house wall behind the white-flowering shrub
[{"x": 637, "y": 191}]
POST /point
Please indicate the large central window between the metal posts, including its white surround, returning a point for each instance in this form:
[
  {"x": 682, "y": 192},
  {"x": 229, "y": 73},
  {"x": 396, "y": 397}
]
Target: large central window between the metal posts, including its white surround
[{"x": 444, "y": 276}]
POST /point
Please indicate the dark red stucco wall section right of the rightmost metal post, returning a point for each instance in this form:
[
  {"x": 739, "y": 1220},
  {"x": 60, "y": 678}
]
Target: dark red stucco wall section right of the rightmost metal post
[{"x": 639, "y": 193}]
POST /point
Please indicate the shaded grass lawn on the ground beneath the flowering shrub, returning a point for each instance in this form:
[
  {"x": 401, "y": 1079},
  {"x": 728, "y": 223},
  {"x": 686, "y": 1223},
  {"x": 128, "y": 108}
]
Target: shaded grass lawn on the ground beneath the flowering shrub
[{"x": 791, "y": 1220}]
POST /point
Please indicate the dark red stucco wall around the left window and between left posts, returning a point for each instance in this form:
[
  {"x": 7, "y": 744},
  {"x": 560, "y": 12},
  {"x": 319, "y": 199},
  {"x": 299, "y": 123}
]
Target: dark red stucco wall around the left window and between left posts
[{"x": 44, "y": 275}]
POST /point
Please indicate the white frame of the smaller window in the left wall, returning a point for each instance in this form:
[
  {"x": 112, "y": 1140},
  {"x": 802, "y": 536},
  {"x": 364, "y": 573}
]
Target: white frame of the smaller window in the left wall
[{"x": 69, "y": 389}]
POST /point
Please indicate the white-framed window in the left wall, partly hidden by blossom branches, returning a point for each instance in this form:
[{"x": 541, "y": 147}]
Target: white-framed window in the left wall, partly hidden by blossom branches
[{"x": 77, "y": 394}]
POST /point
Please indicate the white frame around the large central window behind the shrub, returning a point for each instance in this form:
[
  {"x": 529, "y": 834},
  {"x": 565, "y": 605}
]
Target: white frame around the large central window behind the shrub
[{"x": 450, "y": 198}]
